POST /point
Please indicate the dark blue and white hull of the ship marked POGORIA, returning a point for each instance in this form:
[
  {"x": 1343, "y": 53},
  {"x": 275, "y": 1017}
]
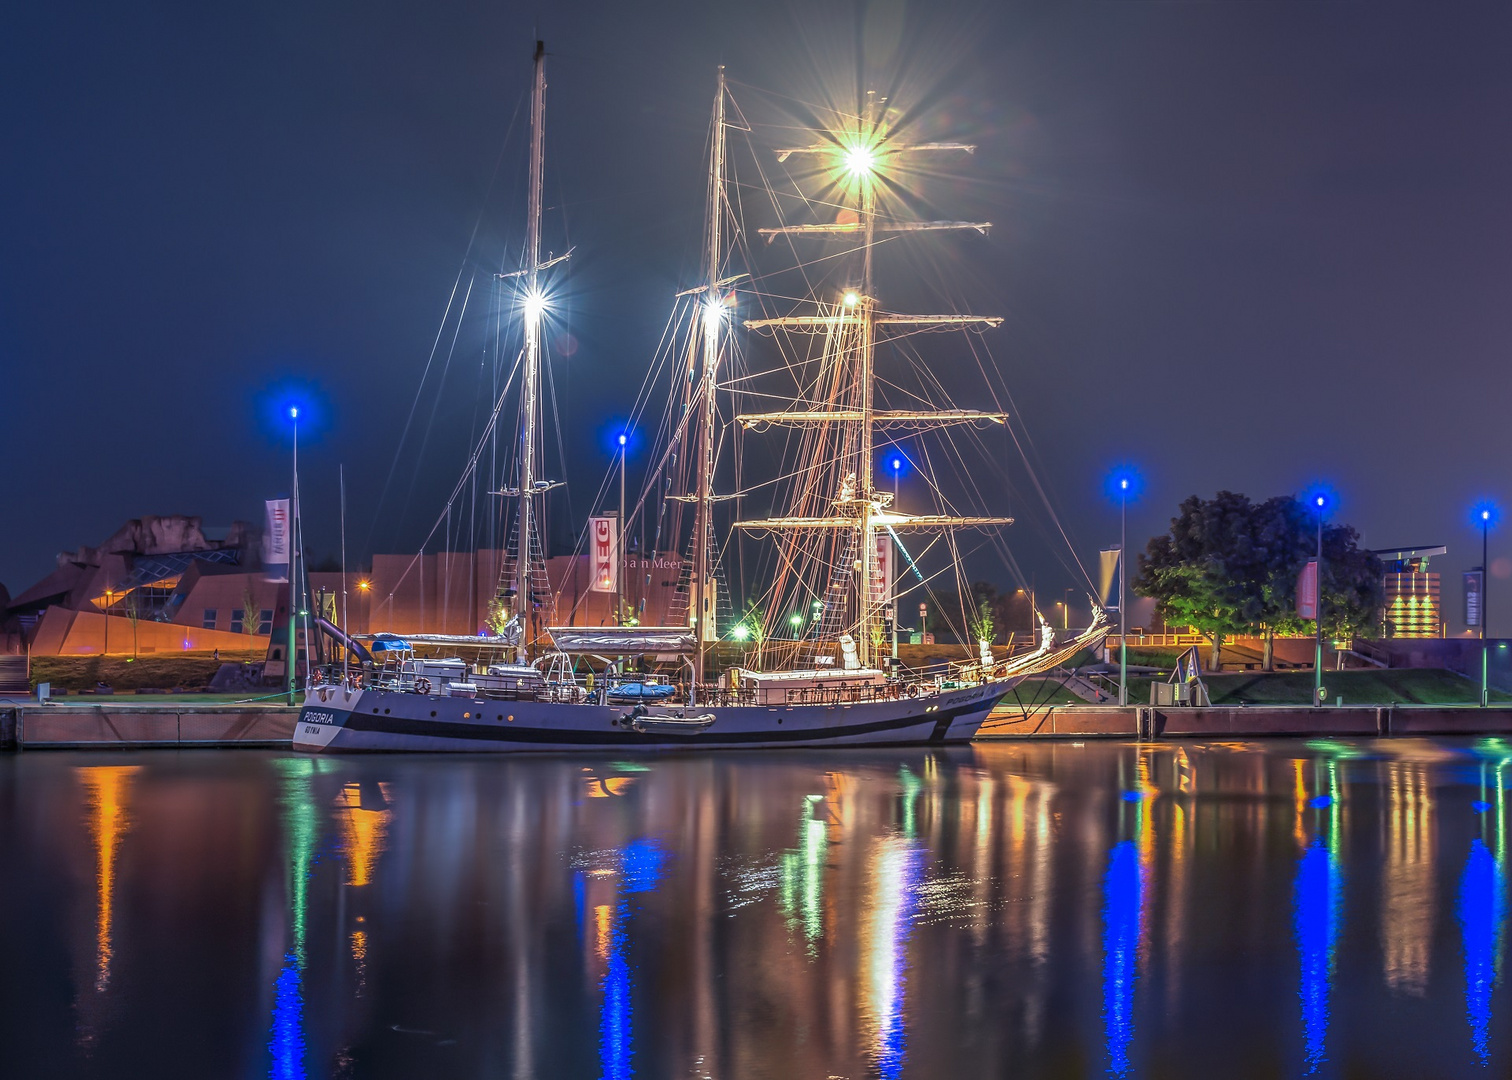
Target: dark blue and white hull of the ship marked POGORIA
[{"x": 335, "y": 719}]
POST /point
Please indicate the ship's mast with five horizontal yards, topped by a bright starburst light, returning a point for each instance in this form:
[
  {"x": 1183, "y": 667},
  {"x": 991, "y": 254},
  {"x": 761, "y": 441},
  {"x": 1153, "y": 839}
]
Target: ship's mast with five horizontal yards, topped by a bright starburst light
[{"x": 860, "y": 506}]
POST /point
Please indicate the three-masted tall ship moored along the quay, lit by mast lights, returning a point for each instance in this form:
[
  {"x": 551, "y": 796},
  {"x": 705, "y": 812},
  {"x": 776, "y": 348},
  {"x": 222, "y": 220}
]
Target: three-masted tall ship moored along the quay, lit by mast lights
[{"x": 804, "y": 435}]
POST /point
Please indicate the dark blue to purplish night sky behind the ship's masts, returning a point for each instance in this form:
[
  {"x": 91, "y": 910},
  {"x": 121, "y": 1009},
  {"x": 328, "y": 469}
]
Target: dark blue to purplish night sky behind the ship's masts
[{"x": 1241, "y": 246}]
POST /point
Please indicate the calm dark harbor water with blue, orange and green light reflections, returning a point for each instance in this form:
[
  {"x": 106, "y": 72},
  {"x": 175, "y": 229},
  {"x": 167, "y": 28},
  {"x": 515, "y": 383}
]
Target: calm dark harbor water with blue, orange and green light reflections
[{"x": 1059, "y": 910}]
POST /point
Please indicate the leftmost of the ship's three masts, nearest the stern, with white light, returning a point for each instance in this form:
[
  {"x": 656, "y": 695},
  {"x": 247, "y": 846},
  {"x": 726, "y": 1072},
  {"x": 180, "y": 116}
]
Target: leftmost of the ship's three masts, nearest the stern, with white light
[{"x": 530, "y": 385}]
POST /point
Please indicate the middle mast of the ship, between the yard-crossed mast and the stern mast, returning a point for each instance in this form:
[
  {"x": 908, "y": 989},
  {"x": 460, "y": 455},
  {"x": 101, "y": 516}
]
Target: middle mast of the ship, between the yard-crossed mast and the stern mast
[{"x": 704, "y": 604}]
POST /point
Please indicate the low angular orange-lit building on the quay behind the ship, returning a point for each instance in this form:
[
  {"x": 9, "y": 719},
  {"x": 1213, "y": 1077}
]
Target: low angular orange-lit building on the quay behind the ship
[{"x": 169, "y": 585}]
